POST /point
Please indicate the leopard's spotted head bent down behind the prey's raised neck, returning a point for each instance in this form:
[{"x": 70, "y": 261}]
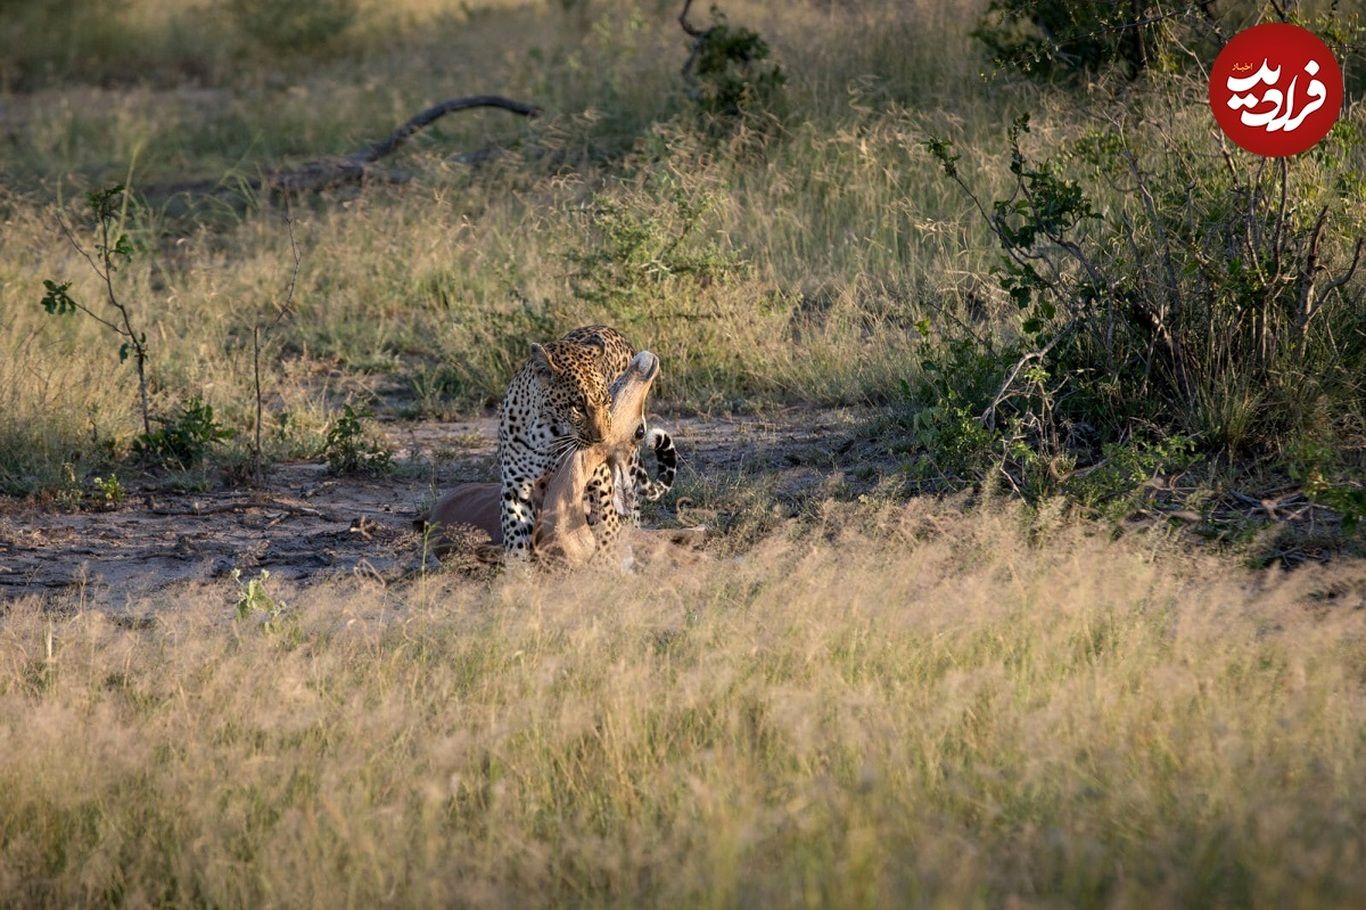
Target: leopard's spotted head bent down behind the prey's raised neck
[{"x": 577, "y": 400}]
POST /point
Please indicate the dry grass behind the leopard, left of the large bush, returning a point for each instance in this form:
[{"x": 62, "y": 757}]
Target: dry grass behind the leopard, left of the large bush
[{"x": 430, "y": 293}]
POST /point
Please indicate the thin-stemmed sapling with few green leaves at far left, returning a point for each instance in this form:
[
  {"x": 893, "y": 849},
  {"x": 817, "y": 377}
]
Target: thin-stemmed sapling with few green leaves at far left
[{"x": 113, "y": 251}]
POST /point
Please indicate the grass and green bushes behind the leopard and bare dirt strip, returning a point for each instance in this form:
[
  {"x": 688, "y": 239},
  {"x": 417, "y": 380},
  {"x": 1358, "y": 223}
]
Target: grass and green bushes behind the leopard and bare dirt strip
[{"x": 822, "y": 203}]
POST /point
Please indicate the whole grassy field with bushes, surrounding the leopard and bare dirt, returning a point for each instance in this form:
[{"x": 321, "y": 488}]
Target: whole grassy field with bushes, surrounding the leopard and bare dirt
[{"x": 1024, "y": 636}]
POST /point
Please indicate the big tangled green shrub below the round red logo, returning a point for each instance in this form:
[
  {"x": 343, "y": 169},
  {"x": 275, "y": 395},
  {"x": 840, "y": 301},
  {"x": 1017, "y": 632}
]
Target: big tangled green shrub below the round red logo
[{"x": 1203, "y": 301}]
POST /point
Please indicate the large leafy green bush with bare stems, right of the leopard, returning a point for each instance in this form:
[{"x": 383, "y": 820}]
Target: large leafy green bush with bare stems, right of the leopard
[{"x": 1169, "y": 296}]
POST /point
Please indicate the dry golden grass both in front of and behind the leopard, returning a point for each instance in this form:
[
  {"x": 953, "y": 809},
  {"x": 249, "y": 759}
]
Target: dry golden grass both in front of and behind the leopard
[{"x": 874, "y": 706}]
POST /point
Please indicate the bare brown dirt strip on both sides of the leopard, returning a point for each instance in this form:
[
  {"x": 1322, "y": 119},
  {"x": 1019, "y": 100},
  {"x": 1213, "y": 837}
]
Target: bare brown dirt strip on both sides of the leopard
[{"x": 308, "y": 525}]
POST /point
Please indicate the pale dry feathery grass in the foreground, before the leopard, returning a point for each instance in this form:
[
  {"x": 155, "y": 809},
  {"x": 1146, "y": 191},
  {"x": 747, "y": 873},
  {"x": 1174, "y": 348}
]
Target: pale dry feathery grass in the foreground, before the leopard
[{"x": 887, "y": 707}]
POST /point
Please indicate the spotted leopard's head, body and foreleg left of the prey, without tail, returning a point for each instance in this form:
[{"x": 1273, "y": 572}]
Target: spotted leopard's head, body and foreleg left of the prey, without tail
[{"x": 559, "y": 402}]
